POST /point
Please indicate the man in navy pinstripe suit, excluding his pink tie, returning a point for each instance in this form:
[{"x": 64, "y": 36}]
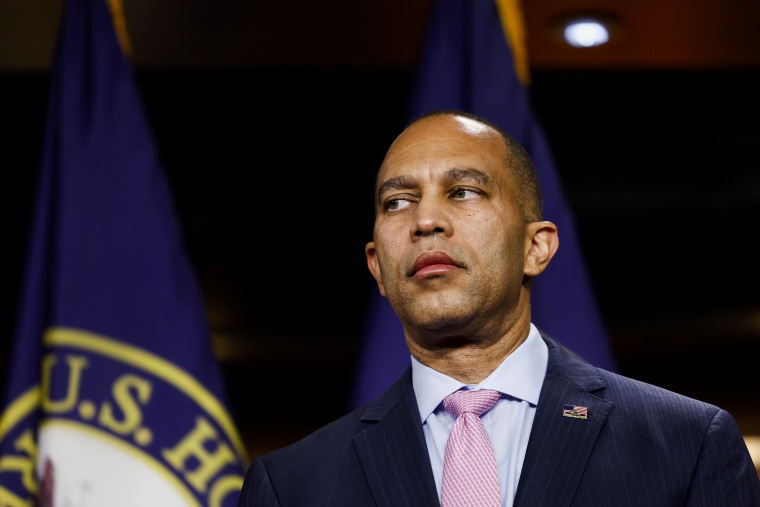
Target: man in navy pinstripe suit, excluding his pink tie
[{"x": 459, "y": 236}]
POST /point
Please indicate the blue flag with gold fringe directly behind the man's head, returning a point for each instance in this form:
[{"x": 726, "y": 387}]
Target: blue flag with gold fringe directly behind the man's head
[{"x": 474, "y": 59}]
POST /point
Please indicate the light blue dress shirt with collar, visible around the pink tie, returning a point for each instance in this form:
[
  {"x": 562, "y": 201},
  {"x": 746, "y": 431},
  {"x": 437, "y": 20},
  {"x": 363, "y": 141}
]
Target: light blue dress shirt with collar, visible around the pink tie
[{"x": 519, "y": 379}]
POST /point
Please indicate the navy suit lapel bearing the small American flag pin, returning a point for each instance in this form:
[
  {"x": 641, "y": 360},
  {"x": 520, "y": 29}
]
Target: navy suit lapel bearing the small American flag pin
[{"x": 559, "y": 446}]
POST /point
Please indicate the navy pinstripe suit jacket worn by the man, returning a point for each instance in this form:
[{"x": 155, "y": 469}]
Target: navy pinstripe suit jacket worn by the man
[{"x": 640, "y": 446}]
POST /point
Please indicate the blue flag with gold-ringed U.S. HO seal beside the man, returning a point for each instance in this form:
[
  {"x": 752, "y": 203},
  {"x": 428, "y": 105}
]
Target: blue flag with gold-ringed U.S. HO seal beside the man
[{"x": 113, "y": 394}]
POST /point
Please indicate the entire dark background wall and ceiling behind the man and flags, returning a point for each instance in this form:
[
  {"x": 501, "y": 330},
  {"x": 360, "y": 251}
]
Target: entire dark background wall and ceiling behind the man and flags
[{"x": 258, "y": 105}]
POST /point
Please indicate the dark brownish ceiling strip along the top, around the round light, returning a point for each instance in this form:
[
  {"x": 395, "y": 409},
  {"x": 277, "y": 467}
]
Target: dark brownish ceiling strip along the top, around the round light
[{"x": 651, "y": 34}]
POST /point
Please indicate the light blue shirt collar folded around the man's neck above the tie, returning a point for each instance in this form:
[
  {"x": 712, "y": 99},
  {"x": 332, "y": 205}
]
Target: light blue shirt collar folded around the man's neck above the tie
[{"x": 520, "y": 376}]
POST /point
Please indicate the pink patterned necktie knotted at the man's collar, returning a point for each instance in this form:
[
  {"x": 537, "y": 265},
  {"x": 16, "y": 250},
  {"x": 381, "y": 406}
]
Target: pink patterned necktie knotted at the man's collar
[{"x": 469, "y": 466}]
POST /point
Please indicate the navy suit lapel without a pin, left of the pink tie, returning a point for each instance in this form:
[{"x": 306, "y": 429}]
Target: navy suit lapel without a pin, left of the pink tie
[{"x": 393, "y": 452}]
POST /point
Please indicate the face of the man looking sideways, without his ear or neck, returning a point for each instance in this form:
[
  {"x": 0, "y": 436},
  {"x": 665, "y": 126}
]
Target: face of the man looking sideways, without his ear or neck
[{"x": 450, "y": 241}]
